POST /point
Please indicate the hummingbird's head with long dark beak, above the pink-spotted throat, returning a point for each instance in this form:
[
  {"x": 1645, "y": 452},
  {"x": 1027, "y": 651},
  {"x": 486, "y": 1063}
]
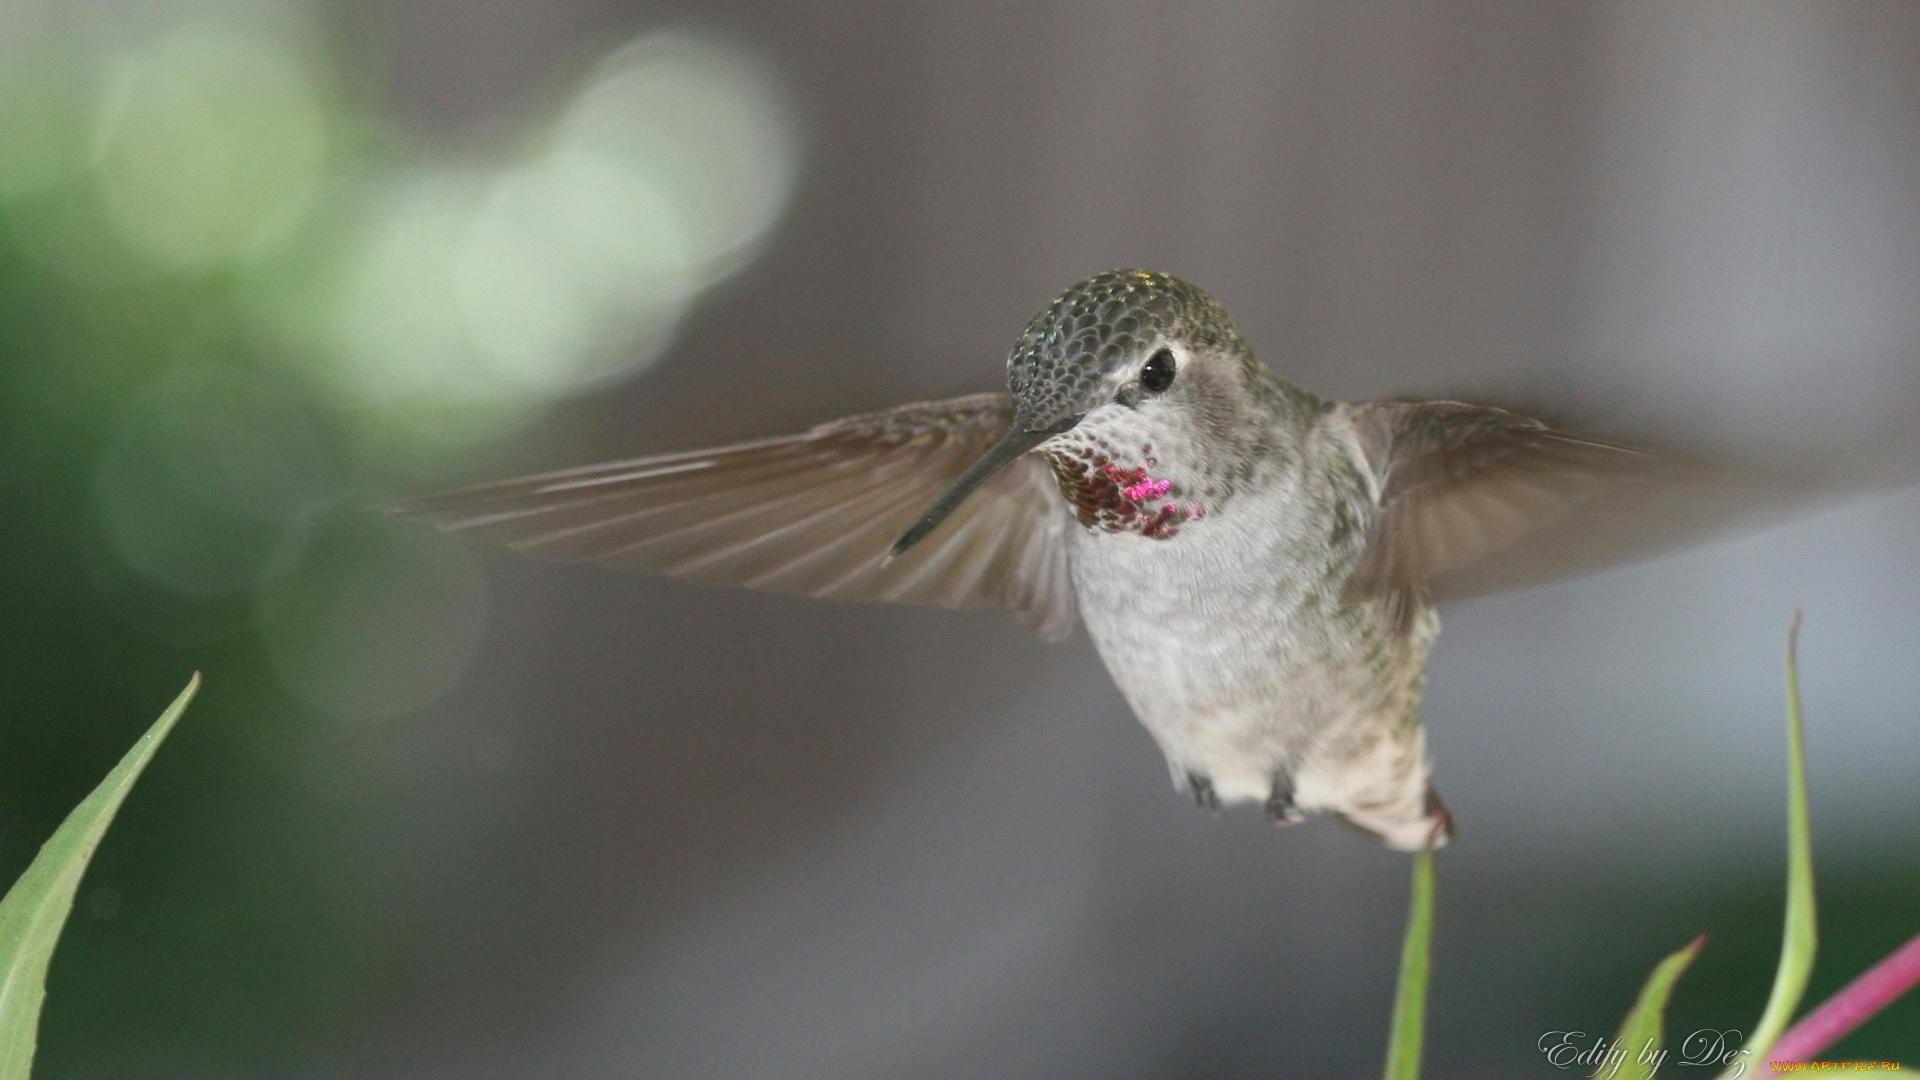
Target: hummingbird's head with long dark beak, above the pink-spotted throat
[{"x": 1130, "y": 339}]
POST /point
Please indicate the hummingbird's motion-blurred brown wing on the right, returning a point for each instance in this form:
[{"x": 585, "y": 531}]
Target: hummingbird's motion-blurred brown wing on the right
[{"x": 1460, "y": 483}]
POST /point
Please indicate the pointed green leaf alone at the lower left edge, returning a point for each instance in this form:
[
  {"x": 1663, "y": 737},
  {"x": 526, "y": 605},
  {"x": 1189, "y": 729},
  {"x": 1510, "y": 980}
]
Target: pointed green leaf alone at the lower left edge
[{"x": 39, "y": 902}]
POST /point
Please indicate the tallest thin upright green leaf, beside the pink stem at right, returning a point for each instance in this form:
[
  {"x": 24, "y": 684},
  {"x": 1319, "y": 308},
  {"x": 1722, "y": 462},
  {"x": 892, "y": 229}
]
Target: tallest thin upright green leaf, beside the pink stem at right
[{"x": 1800, "y": 939}]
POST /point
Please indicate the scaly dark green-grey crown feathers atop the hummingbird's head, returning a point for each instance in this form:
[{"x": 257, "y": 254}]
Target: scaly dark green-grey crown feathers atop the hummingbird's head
[{"x": 1061, "y": 362}]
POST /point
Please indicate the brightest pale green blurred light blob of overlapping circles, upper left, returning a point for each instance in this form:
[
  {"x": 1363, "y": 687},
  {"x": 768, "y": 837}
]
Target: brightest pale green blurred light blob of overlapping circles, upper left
[{"x": 473, "y": 299}]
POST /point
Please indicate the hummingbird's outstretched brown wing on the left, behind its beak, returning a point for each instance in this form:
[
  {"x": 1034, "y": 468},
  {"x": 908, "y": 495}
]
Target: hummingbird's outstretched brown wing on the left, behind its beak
[{"x": 807, "y": 516}]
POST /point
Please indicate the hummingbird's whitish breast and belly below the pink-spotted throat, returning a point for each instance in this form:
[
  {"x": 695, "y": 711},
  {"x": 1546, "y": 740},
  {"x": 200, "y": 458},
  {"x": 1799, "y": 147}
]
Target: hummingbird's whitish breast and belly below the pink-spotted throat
[{"x": 1236, "y": 652}]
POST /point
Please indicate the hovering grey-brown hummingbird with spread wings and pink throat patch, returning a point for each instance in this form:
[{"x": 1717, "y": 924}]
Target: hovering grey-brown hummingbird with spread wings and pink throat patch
[{"x": 1255, "y": 564}]
